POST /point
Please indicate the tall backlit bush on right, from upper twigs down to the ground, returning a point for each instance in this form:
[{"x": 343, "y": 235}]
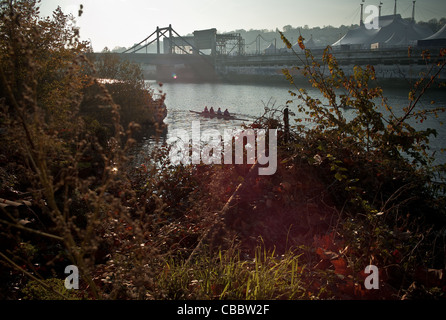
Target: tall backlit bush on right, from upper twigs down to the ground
[{"x": 376, "y": 165}]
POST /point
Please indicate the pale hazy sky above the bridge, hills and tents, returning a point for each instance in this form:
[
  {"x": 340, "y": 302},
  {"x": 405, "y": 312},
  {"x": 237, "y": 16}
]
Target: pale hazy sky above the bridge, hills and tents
[{"x": 114, "y": 23}]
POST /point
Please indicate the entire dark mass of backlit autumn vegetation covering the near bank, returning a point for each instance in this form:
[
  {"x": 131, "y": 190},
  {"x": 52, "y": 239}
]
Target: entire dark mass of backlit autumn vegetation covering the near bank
[{"x": 346, "y": 194}]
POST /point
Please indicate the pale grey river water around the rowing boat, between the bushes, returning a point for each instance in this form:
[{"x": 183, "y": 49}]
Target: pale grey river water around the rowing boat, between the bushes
[{"x": 248, "y": 101}]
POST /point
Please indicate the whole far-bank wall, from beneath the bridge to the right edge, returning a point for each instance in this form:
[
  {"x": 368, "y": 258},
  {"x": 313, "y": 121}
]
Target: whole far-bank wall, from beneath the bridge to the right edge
[{"x": 398, "y": 64}]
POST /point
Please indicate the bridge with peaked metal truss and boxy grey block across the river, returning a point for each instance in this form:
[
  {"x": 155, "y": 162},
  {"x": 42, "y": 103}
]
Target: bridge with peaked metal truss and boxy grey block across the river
[{"x": 189, "y": 58}]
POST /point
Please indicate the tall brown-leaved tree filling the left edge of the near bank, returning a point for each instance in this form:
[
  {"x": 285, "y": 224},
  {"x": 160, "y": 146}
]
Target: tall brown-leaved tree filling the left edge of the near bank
[{"x": 78, "y": 187}]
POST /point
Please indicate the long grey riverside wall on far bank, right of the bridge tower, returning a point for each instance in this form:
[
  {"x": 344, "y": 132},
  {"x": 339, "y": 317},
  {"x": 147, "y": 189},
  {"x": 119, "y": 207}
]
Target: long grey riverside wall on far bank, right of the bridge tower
[{"x": 390, "y": 64}]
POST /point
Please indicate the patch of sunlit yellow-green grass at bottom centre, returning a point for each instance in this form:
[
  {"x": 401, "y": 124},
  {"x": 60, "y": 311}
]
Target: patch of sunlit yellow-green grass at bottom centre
[{"x": 231, "y": 274}]
